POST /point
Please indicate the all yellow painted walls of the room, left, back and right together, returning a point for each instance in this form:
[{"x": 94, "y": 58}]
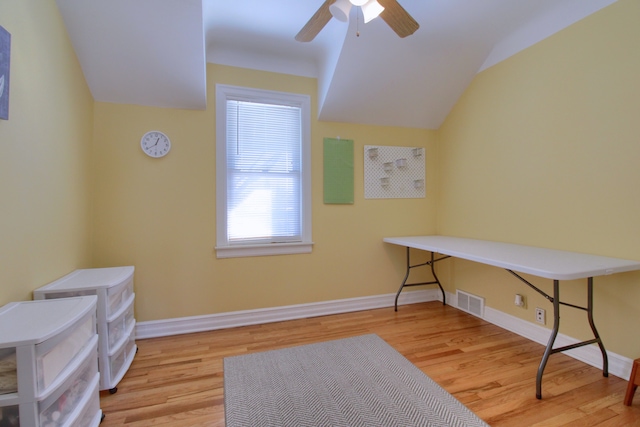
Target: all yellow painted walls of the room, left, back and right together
[{"x": 542, "y": 150}]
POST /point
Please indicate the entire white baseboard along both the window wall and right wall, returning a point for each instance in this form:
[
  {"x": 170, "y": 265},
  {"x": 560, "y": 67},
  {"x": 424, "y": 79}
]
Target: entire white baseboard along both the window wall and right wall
[{"x": 619, "y": 366}]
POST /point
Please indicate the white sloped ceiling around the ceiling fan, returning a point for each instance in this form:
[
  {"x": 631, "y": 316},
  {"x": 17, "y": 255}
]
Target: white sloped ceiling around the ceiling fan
[{"x": 154, "y": 52}]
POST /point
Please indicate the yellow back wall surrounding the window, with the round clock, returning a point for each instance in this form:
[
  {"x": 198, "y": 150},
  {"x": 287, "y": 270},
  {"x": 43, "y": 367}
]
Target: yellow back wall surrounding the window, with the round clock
[{"x": 159, "y": 214}]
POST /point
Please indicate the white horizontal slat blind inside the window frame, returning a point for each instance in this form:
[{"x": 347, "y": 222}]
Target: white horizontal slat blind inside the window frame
[{"x": 263, "y": 172}]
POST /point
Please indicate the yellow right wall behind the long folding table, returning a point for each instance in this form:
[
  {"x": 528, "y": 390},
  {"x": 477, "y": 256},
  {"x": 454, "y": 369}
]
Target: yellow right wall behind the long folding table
[{"x": 543, "y": 150}]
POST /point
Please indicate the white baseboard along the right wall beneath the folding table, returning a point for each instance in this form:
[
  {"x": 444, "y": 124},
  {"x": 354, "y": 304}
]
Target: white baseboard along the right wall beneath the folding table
[{"x": 619, "y": 366}]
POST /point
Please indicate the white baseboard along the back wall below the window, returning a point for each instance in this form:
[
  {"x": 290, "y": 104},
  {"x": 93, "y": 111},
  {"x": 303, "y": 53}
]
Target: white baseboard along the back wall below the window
[{"x": 185, "y": 325}]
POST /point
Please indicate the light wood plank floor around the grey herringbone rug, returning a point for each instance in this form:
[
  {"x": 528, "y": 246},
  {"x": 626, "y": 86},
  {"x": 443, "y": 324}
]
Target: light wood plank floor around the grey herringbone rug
[{"x": 178, "y": 381}]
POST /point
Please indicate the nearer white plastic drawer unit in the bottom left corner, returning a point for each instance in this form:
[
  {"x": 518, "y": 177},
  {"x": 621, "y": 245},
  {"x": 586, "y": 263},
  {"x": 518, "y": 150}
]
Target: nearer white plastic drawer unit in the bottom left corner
[{"x": 49, "y": 363}]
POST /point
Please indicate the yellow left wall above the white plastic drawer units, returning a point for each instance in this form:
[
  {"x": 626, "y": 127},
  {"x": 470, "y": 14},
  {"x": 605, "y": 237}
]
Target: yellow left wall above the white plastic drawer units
[{"x": 45, "y": 154}]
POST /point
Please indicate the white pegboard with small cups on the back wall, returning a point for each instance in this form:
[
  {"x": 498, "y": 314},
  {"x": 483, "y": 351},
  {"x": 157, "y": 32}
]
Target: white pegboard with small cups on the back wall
[{"x": 394, "y": 172}]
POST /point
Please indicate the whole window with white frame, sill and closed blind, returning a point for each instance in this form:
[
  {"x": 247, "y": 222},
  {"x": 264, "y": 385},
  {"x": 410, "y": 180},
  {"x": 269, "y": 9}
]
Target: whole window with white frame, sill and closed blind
[{"x": 263, "y": 172}]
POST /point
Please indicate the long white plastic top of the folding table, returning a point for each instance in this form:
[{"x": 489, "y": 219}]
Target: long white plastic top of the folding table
[{"x": 547, "y": 263}]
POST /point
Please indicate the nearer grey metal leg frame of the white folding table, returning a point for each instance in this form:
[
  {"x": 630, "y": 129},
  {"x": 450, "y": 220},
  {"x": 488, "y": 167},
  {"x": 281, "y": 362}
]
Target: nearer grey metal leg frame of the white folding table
[{"x": 556, "y": 326}]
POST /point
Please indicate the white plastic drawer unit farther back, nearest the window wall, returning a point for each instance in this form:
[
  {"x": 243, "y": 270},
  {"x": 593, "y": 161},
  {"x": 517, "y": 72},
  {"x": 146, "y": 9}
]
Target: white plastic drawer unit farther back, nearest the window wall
[{"x": 116, "y": 321}]
